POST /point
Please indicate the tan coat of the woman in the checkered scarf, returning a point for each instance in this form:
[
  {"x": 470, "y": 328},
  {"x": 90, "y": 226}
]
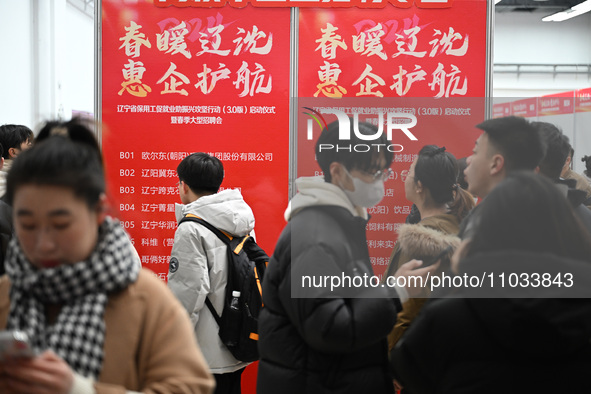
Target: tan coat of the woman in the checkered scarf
[{"x": 149, "y": 342}]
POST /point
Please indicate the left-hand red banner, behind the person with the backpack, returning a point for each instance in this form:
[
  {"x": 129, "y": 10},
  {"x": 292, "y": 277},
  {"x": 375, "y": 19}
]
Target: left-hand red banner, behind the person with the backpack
[{"x": 173, "y": 83}]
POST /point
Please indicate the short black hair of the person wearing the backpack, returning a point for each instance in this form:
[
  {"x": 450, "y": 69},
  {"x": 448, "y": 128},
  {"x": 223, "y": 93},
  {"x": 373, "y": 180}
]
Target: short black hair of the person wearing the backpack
[{"x": 201, "y": 172}]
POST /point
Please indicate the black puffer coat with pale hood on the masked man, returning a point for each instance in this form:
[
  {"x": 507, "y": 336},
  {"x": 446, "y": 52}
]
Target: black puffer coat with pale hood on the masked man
[{"x": 316, "y": 340}]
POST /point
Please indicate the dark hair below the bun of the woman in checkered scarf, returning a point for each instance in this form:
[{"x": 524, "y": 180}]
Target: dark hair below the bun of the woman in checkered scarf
[{"x": 59, "y": 161}]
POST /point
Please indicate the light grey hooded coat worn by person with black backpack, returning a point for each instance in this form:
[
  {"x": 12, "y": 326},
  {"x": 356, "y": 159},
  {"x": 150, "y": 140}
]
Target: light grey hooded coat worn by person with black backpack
[{"x": 199, "y": 267}]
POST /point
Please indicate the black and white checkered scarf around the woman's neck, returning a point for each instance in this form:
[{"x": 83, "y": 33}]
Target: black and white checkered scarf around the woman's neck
[{"x": 78, "y": 334}]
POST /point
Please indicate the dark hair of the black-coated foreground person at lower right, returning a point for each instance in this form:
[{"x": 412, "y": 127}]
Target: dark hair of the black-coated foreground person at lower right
[{"x": 527, "y": 212}]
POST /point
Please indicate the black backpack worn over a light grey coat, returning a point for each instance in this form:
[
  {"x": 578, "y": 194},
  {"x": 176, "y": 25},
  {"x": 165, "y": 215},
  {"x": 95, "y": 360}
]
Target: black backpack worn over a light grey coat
[{"x": 238, "y": 324}]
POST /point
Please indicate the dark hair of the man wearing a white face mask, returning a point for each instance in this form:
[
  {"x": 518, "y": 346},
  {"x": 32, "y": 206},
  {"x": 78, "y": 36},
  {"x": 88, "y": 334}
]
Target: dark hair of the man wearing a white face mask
[{"x": 352, "y": 160}]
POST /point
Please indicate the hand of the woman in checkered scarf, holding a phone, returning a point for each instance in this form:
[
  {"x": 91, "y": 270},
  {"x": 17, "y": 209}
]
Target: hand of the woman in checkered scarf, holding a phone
[{"x": 44, "y": 374}]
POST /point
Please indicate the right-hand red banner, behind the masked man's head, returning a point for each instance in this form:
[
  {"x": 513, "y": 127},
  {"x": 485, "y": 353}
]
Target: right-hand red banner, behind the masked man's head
[{"x": 425, "y": 66}]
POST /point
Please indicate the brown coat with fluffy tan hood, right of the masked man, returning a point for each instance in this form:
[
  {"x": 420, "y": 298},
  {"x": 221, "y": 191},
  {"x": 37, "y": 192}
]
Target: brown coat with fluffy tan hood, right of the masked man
[{"x": 421, "y": 241}]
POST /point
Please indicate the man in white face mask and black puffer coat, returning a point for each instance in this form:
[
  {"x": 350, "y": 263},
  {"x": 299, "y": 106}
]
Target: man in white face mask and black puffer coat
[{"x": 323, "y": 329}]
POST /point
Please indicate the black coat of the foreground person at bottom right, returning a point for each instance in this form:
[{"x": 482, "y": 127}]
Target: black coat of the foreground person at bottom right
[{"x": 471, "y": 344}]
